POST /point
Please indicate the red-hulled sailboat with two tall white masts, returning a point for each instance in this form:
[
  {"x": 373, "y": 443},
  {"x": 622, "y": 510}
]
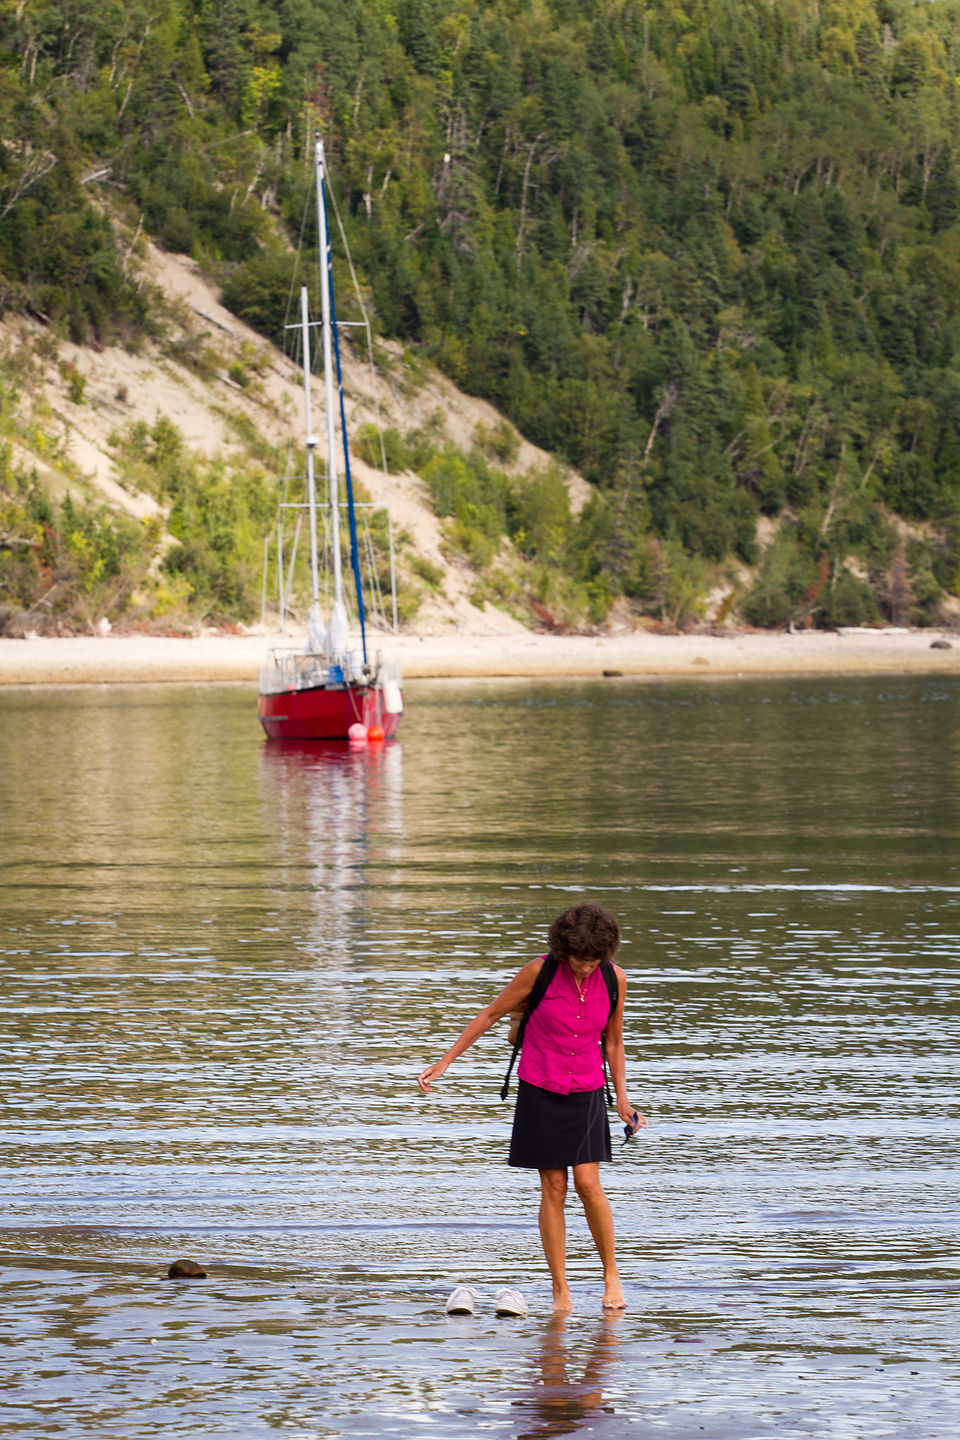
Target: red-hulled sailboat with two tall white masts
[{"x": 330, "y": 690}]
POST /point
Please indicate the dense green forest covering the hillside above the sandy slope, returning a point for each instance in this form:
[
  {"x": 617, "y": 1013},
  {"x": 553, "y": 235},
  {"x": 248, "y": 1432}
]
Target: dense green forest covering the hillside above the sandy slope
[{"x": 707, "y": 253}]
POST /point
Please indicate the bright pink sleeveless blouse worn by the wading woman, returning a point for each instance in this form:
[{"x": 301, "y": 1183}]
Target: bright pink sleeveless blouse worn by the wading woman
[{"x": 562, "y": 1042}]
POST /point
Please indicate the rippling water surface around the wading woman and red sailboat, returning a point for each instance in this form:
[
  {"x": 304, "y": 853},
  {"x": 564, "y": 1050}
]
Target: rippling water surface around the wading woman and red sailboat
[{"x": 224, "y": 963}]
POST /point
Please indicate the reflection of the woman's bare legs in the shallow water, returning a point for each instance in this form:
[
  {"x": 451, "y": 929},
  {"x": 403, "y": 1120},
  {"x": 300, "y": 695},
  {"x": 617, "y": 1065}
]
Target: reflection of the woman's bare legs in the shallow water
[{"x": 561, "y": 1405}]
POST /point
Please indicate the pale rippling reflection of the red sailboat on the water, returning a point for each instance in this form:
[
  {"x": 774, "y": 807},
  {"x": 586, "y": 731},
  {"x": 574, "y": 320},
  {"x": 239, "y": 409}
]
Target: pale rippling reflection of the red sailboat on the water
[{"x": 338, "y": 817}]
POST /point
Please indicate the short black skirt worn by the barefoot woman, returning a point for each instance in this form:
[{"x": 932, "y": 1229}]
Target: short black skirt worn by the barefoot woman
[{"x": 553, "y": 1131}]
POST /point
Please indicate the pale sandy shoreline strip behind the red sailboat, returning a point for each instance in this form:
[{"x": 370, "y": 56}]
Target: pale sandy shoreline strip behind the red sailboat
[{"x": 214, "y": 659}]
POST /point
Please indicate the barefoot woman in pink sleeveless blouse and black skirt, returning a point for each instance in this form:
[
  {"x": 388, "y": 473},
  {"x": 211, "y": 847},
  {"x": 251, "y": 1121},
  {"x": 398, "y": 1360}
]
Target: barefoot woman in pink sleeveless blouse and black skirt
[{"x": 561, "y": 1118}]
